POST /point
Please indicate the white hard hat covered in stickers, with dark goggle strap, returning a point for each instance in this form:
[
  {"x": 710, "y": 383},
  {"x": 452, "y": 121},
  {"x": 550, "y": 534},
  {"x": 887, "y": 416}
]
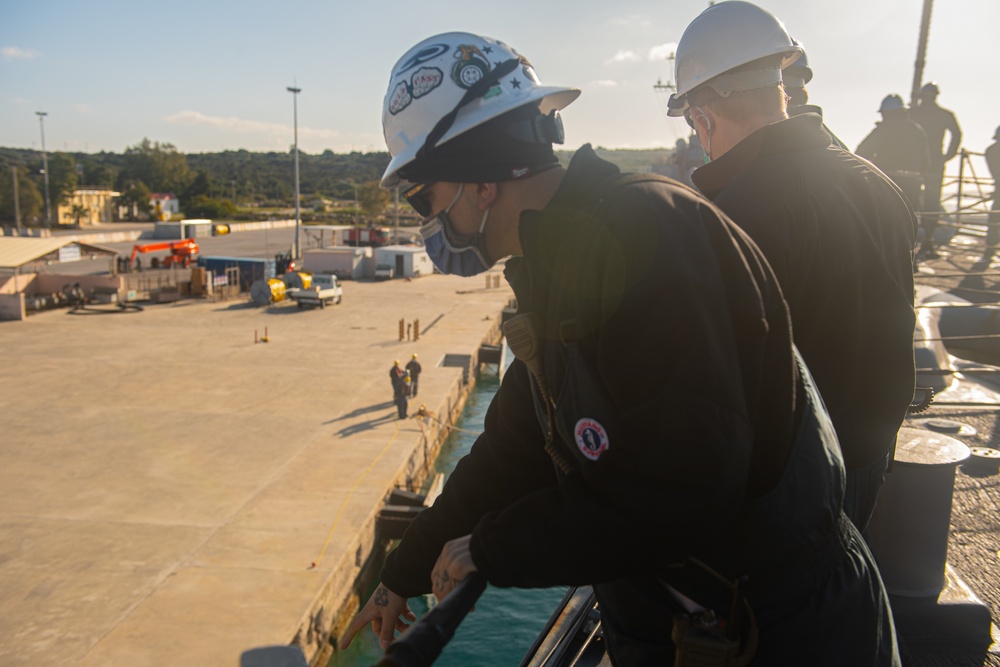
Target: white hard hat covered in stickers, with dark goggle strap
[{"x": 431, "y": 82}]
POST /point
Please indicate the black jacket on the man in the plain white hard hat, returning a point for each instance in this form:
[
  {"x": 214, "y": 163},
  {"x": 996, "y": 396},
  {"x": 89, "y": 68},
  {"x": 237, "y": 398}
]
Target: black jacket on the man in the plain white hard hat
[{"x": 839, "y": 237}]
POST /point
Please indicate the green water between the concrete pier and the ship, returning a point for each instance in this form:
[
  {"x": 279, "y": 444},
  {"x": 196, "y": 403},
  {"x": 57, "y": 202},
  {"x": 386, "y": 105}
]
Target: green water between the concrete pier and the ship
[{"x": 506, "y": 621}]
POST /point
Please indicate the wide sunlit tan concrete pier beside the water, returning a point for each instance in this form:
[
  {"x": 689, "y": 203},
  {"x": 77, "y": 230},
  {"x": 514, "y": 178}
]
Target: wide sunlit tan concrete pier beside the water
[{"x": 167, "y": 484}]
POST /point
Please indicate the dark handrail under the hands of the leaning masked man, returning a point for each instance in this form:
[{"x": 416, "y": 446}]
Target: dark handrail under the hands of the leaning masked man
[{"x": 423, "y": 642}]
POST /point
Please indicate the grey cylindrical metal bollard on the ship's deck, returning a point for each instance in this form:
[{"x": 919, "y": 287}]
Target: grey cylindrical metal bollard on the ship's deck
[{"x": 908, "y": 533}]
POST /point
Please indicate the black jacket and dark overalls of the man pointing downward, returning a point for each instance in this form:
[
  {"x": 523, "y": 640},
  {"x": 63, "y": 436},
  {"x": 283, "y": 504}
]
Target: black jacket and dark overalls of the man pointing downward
[{"x": 666, "y": 345}]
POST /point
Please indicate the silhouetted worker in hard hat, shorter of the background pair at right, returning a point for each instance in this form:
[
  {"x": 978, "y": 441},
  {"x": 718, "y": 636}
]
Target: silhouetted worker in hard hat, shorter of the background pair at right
[{"x": 898, "y": 147}]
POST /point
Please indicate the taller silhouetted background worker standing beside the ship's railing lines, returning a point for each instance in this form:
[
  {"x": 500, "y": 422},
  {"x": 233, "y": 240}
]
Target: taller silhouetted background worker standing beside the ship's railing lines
[{"x": 935, "y": 121}]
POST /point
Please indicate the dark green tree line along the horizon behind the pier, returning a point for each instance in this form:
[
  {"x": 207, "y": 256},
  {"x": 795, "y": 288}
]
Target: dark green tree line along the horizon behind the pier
[{"x": 230, "y": 185}]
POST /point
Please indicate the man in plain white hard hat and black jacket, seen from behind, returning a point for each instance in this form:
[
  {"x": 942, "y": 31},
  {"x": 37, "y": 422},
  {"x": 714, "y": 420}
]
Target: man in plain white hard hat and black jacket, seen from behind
[{"x": 837, "y": 232}]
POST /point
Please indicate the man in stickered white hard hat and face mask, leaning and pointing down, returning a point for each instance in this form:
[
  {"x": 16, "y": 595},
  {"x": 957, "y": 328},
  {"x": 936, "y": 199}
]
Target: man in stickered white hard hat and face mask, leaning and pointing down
[{"x": 657, "y": 436}]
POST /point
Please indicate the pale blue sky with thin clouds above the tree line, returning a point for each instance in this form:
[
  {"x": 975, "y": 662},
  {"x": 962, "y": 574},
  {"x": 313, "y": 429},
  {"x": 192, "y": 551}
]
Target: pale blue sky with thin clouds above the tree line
[{"x": 209, "y": 76}]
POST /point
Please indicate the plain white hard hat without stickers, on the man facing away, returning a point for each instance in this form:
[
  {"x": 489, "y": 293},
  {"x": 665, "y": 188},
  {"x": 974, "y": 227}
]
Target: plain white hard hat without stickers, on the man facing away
[{"x": 725, "y": 36}]
